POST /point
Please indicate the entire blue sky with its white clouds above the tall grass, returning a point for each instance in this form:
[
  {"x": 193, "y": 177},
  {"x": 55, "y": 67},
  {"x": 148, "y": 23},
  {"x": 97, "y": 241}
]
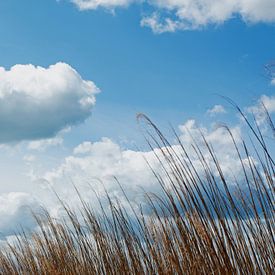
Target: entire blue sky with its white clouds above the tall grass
[{"x": 74, "y": 74}]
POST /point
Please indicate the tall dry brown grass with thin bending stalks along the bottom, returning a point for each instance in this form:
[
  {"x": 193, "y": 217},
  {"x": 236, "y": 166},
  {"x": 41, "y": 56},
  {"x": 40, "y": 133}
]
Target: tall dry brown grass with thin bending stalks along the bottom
[{"x": 199, "y": 225}]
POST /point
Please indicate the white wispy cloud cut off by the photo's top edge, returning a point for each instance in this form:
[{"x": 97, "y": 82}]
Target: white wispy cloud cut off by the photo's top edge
[{"x": 173, "y": 15}]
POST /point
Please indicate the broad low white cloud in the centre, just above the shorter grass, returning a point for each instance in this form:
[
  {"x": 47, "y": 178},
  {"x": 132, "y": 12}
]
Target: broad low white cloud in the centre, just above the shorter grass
[{"x": 98, "y": 163}]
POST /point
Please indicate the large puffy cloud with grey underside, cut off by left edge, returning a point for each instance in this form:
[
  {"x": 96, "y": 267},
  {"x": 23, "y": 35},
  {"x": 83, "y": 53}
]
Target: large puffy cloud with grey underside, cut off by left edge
[{"x": 37, "y": 103}]
